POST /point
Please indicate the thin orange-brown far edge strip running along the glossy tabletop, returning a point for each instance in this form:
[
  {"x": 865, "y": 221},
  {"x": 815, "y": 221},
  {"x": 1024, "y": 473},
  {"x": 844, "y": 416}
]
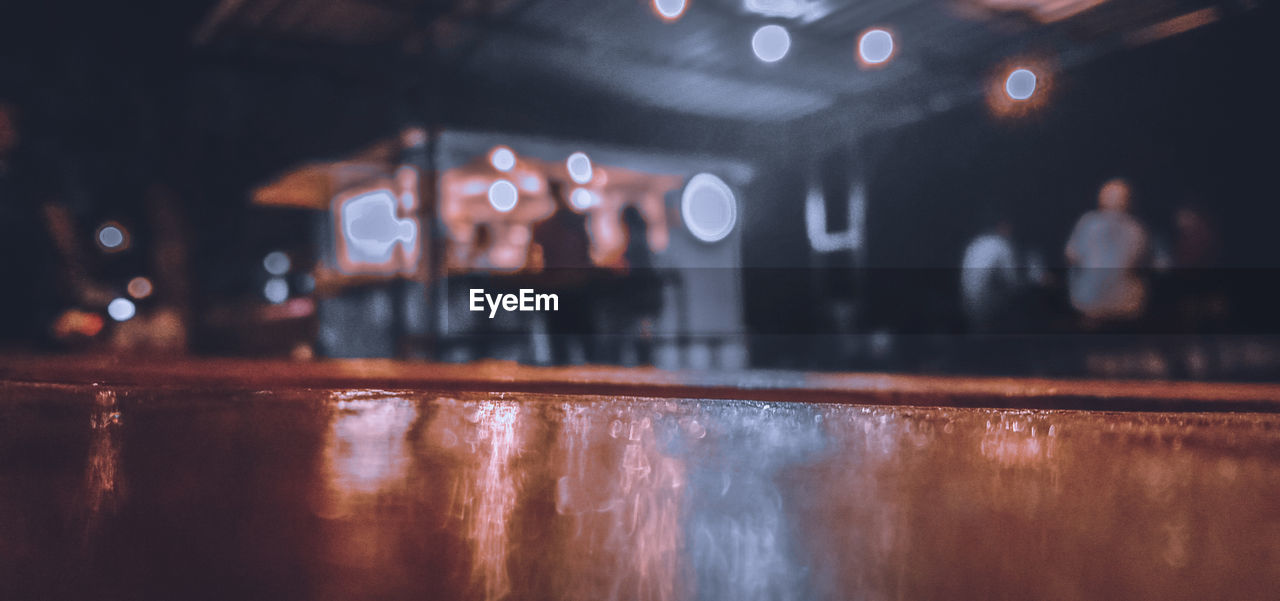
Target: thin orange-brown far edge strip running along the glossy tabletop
[{"x": 36, "y": 373}]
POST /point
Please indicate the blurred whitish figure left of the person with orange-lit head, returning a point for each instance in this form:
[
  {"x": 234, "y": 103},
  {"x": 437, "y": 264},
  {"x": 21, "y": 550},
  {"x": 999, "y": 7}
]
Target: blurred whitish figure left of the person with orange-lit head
[{"x": 989, "y": 277}]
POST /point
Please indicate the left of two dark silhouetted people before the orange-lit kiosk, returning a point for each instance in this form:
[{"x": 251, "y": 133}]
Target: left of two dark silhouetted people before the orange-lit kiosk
[{"x": 565, "y": 250}]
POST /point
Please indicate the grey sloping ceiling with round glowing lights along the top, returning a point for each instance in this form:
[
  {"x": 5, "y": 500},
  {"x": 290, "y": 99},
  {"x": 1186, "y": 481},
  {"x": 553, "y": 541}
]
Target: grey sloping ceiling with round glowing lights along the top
[{"x": 702, "y": 65}]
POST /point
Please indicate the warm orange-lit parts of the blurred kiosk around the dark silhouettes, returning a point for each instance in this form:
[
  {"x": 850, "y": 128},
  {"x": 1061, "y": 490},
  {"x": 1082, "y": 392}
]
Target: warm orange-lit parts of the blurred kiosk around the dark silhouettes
[{"x": 479, "y": 236}]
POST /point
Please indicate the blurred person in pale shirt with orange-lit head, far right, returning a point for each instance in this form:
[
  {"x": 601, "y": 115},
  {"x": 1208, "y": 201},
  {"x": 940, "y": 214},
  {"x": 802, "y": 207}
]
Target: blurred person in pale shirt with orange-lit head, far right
[{"x": 1104, "y": 253}]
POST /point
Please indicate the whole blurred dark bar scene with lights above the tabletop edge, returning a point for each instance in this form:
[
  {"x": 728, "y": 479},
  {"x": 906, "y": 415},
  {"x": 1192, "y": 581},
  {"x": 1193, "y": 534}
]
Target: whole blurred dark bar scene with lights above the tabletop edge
[{"x": 712, "y": 185}]
